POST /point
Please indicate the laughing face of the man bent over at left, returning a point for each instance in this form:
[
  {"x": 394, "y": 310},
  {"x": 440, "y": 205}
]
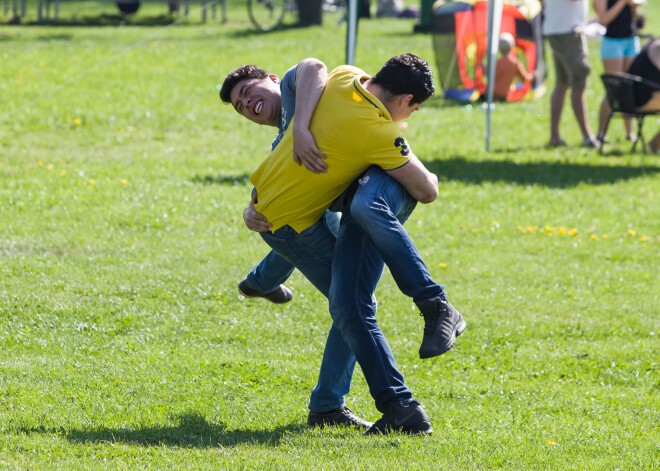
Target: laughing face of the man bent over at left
[{"x": 259, "y": 100}]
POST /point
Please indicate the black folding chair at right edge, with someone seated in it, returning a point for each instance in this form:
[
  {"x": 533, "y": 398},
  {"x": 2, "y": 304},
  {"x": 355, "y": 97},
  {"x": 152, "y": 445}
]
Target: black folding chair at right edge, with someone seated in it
[{"x": 621, "y": 97}]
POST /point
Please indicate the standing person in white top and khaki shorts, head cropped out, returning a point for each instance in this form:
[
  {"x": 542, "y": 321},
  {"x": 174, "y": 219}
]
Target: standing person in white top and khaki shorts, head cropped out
[{"x": 563, "y": 25}]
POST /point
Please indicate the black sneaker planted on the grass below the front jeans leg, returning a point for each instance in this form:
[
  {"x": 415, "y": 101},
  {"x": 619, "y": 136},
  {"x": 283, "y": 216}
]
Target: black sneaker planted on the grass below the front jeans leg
[{"x": 407, "y": 418}]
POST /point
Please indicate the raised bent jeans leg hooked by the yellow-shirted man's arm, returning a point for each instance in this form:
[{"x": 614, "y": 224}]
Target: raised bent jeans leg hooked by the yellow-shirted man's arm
[{"x": 380, "y": 207}]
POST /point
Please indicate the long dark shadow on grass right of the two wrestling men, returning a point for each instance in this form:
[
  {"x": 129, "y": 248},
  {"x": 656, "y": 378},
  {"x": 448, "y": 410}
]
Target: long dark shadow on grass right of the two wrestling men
[{"x": 550, "y": 174}]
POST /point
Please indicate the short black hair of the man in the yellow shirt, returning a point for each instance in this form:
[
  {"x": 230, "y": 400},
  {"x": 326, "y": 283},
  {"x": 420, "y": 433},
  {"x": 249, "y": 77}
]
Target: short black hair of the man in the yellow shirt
[{"x": 406, "y": 74}]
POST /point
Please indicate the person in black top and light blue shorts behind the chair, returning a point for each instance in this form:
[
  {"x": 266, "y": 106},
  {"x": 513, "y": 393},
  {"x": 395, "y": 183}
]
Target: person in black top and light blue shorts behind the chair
[{"x": 618, "y": 48}]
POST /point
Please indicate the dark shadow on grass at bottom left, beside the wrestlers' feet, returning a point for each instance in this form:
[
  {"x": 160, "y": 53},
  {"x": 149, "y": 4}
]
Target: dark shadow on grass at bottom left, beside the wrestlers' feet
[{"x": 192, "y": 431}]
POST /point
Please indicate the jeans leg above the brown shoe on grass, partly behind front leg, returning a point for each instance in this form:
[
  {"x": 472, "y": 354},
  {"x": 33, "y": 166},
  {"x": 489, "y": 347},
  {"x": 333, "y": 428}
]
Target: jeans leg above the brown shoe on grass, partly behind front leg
[{"x": 311, "y": 252}]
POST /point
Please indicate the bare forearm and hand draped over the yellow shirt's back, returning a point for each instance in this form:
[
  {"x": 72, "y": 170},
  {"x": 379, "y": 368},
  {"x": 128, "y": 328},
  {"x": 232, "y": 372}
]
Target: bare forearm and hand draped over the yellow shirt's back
[{"x": 311, "y": 76}]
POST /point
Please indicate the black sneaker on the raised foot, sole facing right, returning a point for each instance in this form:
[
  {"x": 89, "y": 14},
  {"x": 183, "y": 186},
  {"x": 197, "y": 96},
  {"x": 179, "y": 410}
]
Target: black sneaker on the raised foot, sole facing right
[{"x": 442, "y": 324}]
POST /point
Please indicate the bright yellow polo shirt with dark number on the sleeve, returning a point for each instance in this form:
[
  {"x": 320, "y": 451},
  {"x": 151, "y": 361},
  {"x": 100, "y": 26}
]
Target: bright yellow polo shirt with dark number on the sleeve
[{"x": 353, "y": 129}]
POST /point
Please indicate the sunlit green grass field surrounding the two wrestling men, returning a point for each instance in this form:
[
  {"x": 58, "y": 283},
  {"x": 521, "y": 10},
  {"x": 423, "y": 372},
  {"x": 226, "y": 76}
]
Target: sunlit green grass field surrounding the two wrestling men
[{"x": 124, "y": 344}]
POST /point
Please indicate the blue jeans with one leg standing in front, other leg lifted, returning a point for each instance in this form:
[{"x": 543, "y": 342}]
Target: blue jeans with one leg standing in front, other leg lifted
[{"x": 357, "y": 268}]
